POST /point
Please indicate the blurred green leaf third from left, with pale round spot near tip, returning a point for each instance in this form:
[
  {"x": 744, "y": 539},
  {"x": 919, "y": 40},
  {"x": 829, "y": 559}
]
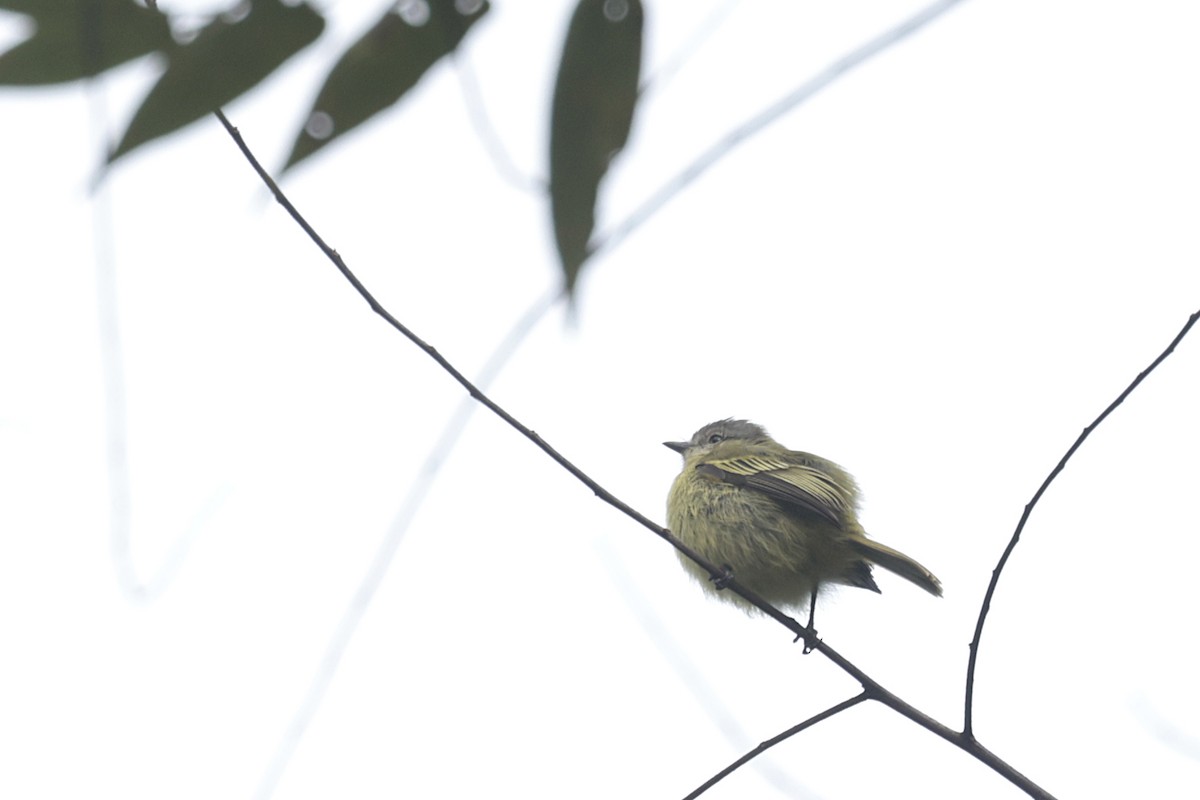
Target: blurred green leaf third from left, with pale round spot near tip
[{"x": 382, "y": 67}]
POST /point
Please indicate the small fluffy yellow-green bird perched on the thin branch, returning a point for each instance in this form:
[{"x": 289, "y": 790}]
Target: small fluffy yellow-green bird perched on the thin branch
[{"x": 784, "y": 522}]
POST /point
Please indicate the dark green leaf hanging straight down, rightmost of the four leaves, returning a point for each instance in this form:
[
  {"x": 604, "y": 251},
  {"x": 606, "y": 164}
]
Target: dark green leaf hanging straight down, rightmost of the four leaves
[{"x": 593, "y": 110}]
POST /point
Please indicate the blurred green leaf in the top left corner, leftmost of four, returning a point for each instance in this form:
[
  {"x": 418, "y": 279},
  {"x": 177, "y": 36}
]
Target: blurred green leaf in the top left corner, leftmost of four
[{"x": 80, "y": 39}]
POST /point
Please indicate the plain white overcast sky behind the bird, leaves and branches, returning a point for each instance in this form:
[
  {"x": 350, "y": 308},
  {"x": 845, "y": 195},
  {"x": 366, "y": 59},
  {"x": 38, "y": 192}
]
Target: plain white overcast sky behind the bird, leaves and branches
[{"x": 937, "y": 273}]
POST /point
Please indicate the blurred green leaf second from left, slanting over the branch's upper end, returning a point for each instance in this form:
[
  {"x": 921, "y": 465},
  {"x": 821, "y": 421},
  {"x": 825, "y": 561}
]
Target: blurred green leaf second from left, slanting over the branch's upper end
[{"x": 229, "y": 57}]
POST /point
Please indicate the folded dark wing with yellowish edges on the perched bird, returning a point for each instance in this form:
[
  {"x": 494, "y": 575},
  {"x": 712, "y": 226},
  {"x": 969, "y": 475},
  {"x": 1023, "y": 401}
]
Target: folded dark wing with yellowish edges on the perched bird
[{"x": 800, "y": 485}]
